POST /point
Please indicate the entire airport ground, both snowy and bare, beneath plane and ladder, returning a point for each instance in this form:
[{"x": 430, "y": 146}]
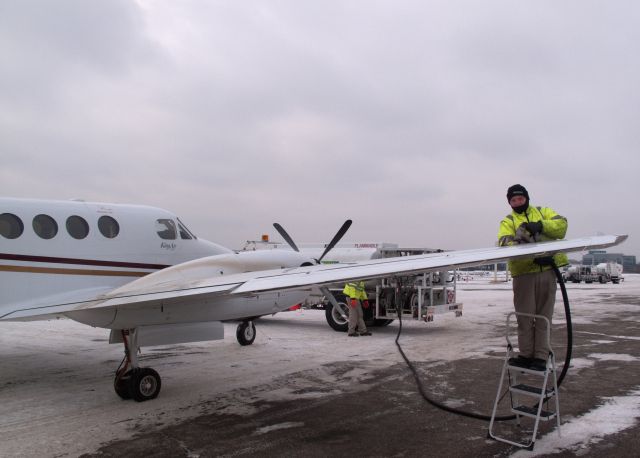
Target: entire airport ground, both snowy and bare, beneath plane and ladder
[{"x": 303, "y": 389}]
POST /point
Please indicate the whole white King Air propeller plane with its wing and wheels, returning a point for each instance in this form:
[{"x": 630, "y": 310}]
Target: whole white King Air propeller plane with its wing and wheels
[{"x": 141, "y": 273}]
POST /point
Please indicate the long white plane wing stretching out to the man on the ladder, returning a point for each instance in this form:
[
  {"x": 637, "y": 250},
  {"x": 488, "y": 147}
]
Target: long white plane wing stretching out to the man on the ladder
[{"x": 250, "y": 283}]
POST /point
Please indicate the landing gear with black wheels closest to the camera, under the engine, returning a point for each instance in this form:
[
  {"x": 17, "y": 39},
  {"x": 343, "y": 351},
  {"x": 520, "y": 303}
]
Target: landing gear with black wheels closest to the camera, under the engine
[{"x": 132, "y": 381}]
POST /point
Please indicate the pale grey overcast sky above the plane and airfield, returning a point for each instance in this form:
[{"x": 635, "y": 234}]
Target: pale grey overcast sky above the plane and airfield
[{"x": 410, "y": 117}]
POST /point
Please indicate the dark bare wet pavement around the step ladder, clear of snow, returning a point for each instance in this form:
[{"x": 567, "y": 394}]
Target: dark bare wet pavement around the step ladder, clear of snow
[{"x": 385, "y": 416}]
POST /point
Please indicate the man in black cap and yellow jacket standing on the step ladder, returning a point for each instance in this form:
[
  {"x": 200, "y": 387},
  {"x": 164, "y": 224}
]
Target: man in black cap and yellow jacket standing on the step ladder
[{"x": 534, "y": 281}]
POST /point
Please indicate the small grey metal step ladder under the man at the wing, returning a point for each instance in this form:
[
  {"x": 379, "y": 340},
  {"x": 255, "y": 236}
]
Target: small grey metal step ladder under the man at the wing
[{"x": 530, "y": 399}]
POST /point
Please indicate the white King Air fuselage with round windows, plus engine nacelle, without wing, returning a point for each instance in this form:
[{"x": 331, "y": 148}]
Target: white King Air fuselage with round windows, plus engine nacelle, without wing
[{"x": 60, "y": 252}]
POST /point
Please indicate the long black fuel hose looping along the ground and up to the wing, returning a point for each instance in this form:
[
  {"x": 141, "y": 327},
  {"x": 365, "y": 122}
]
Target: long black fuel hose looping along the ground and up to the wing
[{"x": 440, "y": 405}]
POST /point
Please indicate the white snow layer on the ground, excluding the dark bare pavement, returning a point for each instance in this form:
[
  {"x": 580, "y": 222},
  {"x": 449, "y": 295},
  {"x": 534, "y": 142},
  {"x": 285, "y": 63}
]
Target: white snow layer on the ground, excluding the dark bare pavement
[{"x": 56, "y": 395}]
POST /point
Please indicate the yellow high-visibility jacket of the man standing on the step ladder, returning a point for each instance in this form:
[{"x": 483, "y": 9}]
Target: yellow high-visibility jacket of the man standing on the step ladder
[{"x": 554, "y": 227}]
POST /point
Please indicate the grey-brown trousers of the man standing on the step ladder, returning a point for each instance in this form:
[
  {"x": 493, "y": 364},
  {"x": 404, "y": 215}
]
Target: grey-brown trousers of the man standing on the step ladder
[{"x": 534, "y": 293}]
